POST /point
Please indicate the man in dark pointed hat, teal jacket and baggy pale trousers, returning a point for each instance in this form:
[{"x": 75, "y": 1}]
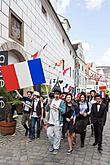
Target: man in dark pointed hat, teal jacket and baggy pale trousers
[{"x": 55, "y": 108}]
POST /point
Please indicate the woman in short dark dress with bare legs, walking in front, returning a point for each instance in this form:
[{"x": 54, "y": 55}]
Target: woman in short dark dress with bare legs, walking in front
[{"x": 70, "y": 117}]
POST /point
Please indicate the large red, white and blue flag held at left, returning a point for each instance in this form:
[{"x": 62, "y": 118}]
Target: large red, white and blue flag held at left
[{"x": 23, "y": 75}]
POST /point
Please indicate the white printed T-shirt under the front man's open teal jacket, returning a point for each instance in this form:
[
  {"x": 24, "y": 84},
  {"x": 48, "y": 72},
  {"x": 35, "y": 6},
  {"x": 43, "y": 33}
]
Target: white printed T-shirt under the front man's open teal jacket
[{"x": 54, "y": 112}]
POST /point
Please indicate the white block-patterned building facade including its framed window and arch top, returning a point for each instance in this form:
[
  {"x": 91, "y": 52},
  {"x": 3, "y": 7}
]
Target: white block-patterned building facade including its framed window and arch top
[{"x": 26, "y": 26}]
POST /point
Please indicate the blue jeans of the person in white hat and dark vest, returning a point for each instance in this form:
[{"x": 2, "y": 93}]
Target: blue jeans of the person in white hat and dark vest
[{"x": 33, "y": 123}]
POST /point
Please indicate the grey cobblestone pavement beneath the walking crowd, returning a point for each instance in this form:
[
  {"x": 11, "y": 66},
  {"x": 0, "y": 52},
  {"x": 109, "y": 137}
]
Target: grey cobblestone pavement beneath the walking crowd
[{"x": 19, "y": 150}]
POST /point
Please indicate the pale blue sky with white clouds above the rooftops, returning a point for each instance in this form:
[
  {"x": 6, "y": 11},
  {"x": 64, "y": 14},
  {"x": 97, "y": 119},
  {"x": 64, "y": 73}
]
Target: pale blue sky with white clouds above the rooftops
[{"x": 90, "y": 24}]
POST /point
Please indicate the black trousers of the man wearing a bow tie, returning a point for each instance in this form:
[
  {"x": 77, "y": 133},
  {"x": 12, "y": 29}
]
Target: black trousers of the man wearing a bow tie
[{"x": 98, "y": 130}]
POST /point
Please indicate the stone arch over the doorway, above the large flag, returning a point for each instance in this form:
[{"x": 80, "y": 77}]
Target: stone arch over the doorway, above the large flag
[{"x": 14, "y": 48}]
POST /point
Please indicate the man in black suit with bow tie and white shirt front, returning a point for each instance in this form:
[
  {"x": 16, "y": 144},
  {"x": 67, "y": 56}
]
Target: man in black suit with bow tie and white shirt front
[{"x": 98, "y": 117}]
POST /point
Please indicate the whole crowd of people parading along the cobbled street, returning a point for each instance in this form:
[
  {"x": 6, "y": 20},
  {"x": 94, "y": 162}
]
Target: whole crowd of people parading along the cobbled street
[{"x": 64, "y": 116}]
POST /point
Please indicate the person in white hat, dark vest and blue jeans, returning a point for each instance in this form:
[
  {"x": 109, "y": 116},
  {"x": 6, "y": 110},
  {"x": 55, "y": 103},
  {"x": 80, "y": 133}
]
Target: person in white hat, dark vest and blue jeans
[{"x": 36, "y": 115}]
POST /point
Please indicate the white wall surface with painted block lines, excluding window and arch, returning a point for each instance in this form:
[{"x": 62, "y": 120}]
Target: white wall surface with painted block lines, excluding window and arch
[{"x": 39, "y": 30}]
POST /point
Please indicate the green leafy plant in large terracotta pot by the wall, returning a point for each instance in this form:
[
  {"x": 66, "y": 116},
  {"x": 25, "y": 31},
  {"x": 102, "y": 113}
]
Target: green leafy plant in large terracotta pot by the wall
[{"x": 8, "y": 124}]
